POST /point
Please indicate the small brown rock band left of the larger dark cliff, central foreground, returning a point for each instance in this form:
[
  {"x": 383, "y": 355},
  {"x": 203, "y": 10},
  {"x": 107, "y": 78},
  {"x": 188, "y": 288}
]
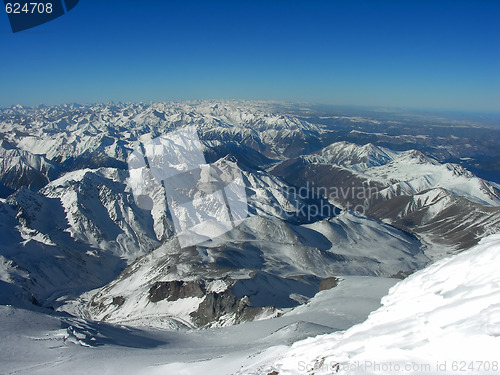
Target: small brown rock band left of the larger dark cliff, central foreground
[{"x": 174, "y": 290}]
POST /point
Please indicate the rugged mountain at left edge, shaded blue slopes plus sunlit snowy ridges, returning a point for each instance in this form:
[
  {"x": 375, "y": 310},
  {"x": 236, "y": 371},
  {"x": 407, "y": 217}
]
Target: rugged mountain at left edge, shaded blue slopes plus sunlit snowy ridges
[{"x": 74, "y": 234}]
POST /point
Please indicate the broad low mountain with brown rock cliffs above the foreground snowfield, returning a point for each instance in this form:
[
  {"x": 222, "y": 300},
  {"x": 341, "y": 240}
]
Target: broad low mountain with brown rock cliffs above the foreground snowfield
[{"x": 253, "y": 271}]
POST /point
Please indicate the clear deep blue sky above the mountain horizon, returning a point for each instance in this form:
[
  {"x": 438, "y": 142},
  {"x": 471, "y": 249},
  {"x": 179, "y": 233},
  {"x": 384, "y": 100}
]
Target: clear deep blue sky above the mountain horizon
[{"x": 417, "y": 54}]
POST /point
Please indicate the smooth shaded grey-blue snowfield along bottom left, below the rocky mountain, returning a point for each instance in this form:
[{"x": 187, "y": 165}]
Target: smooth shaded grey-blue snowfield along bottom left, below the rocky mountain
[{"x": 34, "y": 341}]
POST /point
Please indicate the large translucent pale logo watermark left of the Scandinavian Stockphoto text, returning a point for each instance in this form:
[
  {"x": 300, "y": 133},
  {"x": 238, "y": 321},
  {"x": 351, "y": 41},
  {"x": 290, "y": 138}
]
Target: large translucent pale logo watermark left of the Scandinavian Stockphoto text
[{"x": 204, "y": 200}]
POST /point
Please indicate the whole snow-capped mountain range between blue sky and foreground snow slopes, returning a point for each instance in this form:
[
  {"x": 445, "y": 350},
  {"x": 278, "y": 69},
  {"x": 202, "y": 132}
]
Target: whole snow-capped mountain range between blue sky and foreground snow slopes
[{"x": 320, "y": 210}]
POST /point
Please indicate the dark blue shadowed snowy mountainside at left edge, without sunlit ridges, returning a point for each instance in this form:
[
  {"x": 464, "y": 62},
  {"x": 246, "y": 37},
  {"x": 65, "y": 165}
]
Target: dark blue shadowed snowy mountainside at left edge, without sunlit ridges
[{"x": 39, "y": 256}]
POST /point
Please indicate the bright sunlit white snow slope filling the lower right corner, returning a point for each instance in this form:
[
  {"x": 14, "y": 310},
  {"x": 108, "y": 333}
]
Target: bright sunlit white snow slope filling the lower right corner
[{"x": 442, "y": 319}]
